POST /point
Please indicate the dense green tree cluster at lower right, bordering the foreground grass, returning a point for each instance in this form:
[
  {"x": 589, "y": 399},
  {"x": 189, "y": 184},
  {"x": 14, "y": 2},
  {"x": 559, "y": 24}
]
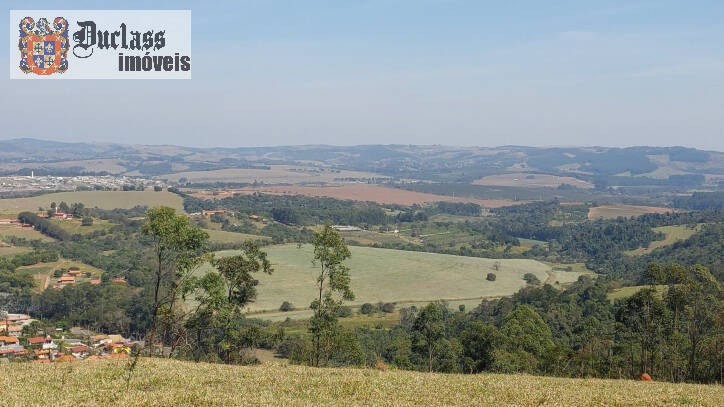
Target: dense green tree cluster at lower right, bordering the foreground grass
[{"x": 675, "y": 334}]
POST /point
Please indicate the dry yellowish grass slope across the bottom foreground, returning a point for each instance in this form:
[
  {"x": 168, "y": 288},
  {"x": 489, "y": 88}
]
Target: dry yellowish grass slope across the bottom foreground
[{"x": 174, "y": 383}]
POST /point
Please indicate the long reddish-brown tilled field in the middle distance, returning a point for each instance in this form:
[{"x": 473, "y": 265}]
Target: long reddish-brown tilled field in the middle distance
[{"x": 358, "y": 192}]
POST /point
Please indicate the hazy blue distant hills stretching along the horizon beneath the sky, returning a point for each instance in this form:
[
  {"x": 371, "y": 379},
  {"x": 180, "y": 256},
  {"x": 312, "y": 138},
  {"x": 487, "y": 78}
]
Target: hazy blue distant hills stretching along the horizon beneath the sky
[{"x": 424, "y": 162}]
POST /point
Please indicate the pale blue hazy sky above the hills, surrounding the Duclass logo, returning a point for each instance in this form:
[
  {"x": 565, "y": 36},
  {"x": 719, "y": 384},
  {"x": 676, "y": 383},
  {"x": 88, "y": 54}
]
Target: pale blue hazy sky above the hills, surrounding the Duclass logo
[{"x": 469, "y": 73}]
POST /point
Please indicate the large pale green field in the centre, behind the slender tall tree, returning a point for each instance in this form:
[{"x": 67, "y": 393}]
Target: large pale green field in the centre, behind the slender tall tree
[{"x": 383, "y": 275}]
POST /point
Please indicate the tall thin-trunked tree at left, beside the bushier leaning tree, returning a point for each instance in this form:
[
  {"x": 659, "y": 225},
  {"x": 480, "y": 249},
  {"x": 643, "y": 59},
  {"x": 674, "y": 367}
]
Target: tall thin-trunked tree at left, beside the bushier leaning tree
[{"x": 178, "y": 248}]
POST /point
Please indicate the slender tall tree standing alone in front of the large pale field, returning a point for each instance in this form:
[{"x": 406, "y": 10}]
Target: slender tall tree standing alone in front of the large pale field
[{"x": 329, "y": 254}]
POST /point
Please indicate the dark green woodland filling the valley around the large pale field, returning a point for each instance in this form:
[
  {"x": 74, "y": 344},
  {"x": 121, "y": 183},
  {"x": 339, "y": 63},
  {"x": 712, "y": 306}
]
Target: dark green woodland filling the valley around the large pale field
[{"x": 671, "y": 327}]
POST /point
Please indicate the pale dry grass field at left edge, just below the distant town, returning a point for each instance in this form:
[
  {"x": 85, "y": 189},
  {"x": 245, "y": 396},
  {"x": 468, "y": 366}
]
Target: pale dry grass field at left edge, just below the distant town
[{"x": 93, "y": 199}]
